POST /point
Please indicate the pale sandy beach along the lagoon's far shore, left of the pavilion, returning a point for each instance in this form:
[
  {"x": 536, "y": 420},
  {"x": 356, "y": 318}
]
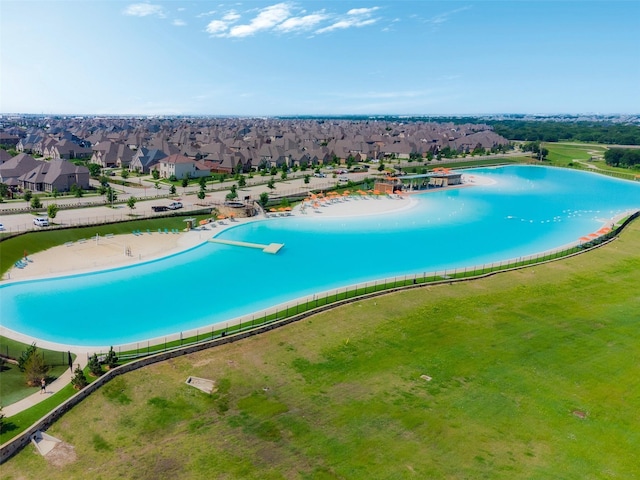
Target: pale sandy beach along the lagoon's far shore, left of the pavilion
[{"x": 124, "y": 250}]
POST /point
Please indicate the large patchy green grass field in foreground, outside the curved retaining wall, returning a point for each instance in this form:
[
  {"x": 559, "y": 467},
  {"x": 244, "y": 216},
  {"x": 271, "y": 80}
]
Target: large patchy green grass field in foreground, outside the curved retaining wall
[{"x": 534, "y": 374}]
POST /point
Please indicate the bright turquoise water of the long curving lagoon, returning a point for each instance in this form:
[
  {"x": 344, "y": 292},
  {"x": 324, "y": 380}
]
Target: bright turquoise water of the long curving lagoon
[{"x": 526, "y": 211}]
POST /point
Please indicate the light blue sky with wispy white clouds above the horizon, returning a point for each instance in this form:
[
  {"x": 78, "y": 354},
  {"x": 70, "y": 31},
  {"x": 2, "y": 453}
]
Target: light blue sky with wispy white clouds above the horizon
[{"x": 319, "y": 57}]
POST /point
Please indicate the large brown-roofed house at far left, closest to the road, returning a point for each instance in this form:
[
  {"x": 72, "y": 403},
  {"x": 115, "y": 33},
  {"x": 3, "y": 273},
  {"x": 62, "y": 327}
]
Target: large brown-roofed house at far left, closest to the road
[{"x": 56, "y": 174}]
